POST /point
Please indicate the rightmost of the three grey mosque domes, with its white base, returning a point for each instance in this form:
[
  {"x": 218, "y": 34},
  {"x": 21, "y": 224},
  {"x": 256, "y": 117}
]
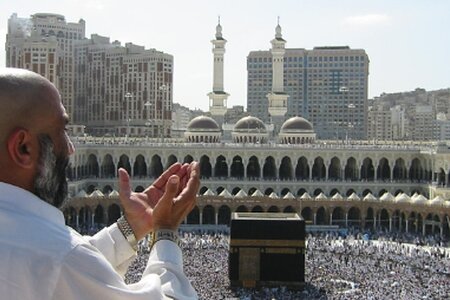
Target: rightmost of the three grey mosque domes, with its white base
[{"x": 296, "y": 130}]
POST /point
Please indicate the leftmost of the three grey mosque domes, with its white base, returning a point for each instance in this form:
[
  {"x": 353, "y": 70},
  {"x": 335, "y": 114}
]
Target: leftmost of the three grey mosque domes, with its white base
[{"x": 202, "y": 129}]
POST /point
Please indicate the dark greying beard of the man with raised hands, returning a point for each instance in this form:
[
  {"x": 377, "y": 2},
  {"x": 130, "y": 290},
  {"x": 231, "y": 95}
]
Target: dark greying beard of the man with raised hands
[{"x": 50, "y": 183}]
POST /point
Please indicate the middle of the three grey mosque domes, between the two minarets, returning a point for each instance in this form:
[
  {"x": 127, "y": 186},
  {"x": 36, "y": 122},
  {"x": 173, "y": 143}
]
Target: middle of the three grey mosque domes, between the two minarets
[{"x": 250, "y": 130}]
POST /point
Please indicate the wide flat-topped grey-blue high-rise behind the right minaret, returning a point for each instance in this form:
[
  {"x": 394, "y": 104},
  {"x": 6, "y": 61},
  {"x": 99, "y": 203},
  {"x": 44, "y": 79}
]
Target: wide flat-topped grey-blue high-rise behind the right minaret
[{"x": 326, "y": 85}]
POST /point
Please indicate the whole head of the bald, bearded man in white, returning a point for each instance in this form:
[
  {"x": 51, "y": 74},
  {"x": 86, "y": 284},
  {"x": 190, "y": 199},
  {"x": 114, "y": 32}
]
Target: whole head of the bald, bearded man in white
[{"x": 34, "y": 145}]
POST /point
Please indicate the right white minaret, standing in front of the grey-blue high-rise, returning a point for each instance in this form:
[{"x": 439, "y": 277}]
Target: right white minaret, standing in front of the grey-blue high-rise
[{"x": 277, "y": 97}]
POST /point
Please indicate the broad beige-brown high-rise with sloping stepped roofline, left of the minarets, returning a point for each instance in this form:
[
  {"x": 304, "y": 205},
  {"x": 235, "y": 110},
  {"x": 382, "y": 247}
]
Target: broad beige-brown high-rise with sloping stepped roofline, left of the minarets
[{"x": 123, "y": 89}]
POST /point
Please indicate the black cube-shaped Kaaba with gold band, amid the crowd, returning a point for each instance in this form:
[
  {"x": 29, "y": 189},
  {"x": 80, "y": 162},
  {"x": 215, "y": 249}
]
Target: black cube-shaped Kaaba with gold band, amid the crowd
[{"x": 267, "y": 249}]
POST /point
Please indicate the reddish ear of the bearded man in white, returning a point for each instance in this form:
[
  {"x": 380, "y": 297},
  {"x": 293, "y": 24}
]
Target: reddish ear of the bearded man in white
[{"x": 20, "y": 148}]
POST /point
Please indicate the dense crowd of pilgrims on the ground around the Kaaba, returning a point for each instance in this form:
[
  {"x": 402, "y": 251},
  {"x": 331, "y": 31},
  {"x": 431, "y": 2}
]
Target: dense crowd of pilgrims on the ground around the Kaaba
[{"x": 350, "y": 266}]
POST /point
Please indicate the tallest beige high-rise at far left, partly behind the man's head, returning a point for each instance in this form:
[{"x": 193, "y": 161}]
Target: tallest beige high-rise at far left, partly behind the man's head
[{"x": 44, "y": 43}]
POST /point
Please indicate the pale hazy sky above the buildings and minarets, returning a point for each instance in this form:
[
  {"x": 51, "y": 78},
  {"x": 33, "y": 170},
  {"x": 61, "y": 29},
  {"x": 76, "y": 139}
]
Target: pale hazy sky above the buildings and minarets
[{"x": 408, "y": 42}]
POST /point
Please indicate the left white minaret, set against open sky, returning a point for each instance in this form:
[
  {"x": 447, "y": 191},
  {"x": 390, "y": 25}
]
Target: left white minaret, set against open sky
[{"x": 218, "y": 97}]
